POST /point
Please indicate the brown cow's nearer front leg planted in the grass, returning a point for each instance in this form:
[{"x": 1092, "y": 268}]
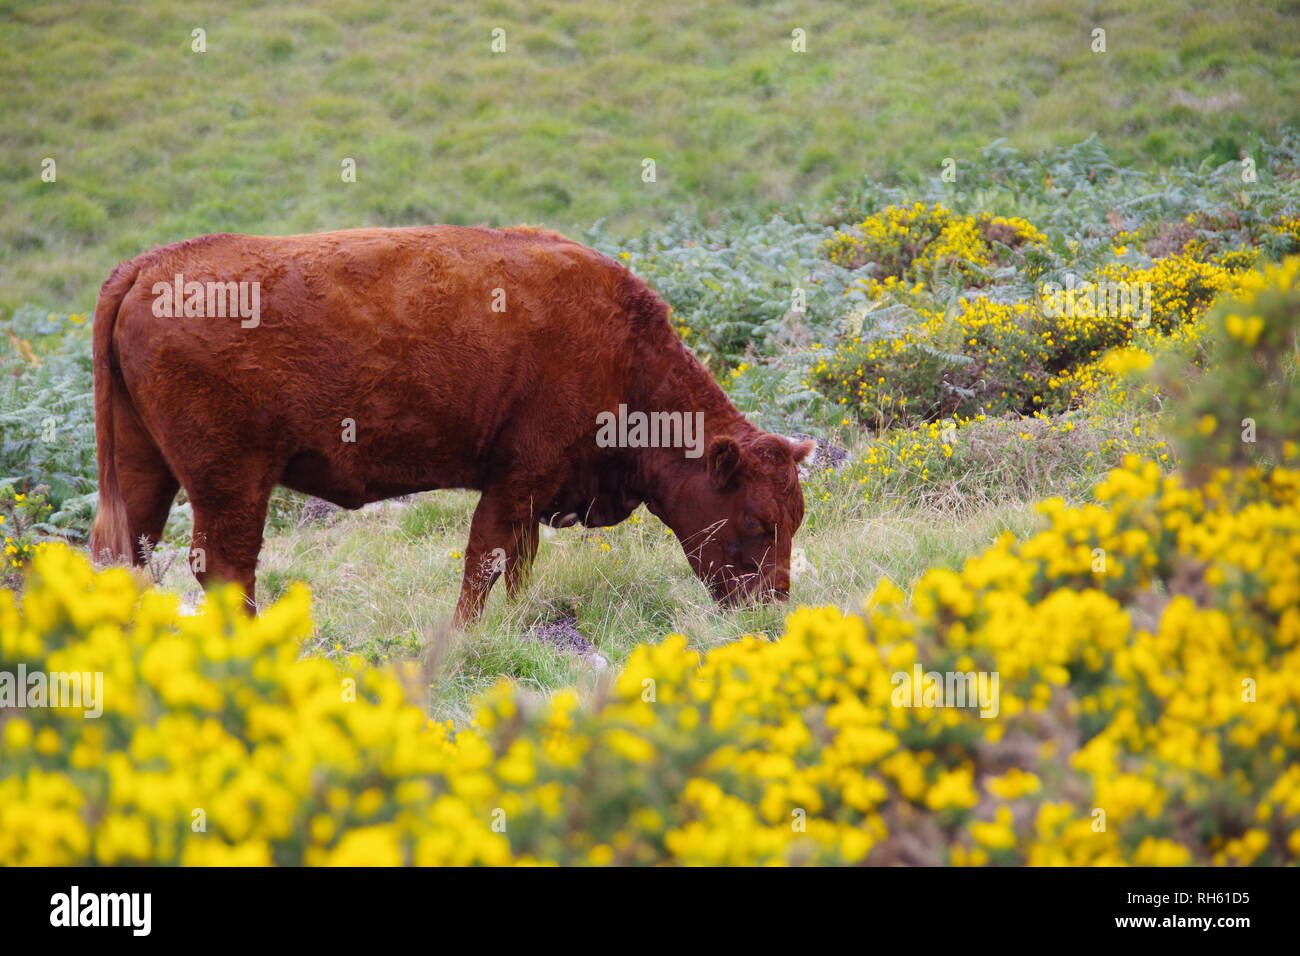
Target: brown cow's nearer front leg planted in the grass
[{"x": 502, "y": 540}]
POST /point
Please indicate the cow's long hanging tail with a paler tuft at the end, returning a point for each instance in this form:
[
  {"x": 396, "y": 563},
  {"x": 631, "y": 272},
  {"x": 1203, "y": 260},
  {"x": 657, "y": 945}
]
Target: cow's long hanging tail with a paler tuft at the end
[{"x": 111, "y": 538}]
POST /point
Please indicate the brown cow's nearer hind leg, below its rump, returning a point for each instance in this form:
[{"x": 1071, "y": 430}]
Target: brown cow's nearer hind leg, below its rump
[{"x": 229, "y": 520}]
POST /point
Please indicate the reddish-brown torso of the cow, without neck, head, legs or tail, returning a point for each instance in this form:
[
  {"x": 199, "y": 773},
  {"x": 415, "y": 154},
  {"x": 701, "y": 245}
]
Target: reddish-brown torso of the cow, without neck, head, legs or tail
[{"x": 380, "y": 360}]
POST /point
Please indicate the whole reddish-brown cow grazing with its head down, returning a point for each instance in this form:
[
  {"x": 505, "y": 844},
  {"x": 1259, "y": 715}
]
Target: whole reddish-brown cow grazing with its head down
[{"x": 363, "y": 365}]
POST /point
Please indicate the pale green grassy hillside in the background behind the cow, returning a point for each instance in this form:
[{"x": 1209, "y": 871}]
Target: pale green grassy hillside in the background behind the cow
[{"x": 155, "y": 144}]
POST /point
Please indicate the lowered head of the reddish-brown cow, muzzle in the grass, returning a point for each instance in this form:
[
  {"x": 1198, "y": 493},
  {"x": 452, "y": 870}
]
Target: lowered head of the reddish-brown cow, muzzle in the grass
[{"x": 738, "y": 516}]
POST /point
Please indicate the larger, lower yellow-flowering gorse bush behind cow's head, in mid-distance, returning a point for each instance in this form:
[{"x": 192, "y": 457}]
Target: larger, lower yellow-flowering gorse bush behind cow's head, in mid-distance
[{"x": 985, "y": 357}]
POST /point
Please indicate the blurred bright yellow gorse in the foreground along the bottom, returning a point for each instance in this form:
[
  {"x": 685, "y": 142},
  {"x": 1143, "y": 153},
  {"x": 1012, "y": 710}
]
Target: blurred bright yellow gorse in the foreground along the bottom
[{"x": 1138, "y": 703}]
